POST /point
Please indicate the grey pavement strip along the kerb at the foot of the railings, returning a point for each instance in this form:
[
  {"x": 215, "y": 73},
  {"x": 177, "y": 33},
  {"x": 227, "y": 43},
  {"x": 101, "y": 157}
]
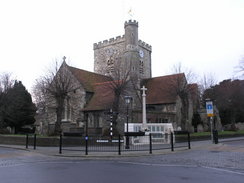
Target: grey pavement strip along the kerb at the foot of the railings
[{"x": 224, "y": 145}]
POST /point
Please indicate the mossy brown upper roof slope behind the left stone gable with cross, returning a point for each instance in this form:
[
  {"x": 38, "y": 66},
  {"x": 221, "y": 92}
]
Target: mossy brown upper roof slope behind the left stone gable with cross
[{"x": 88, "y": 79}]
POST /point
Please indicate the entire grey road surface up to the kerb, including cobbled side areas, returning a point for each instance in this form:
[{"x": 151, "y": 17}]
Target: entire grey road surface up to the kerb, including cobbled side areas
[{"x": 191, "y": 166}]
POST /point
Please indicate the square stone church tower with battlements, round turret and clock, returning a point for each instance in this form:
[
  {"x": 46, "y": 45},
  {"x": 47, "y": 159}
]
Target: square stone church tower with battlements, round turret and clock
[{"x": 124, "y": 52}]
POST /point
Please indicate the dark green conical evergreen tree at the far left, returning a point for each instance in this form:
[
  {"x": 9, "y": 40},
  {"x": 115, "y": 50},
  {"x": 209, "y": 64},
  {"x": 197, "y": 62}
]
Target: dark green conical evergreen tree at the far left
[{"x": 18, "y": 108}]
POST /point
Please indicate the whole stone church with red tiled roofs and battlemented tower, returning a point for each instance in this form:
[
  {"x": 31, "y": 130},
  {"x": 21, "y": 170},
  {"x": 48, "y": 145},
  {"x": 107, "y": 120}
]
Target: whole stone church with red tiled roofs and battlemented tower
[{"x": 122, "y": 66}]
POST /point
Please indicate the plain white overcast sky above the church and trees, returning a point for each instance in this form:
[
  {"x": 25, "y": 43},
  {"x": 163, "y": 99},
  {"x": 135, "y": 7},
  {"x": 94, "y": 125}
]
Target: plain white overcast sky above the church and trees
[{"x": 206, "y": 36}]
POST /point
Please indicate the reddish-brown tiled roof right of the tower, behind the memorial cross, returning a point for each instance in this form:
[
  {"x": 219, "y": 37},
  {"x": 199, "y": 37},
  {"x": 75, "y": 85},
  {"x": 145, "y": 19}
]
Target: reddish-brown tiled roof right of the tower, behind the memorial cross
[{"x": 161, "y": 90}]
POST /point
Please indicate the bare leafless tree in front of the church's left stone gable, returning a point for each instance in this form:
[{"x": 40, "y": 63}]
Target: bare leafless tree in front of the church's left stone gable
[{"x": 55, "y": 88}]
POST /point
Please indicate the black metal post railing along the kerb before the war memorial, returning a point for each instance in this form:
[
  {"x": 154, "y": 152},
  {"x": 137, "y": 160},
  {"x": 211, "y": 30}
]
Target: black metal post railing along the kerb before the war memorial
[{"x": 117, "y": 144}]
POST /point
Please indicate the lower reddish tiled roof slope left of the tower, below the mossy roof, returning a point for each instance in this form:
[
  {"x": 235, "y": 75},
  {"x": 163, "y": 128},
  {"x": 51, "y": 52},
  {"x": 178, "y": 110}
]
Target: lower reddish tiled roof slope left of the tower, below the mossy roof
[{"x": 103, "y": 97}]
